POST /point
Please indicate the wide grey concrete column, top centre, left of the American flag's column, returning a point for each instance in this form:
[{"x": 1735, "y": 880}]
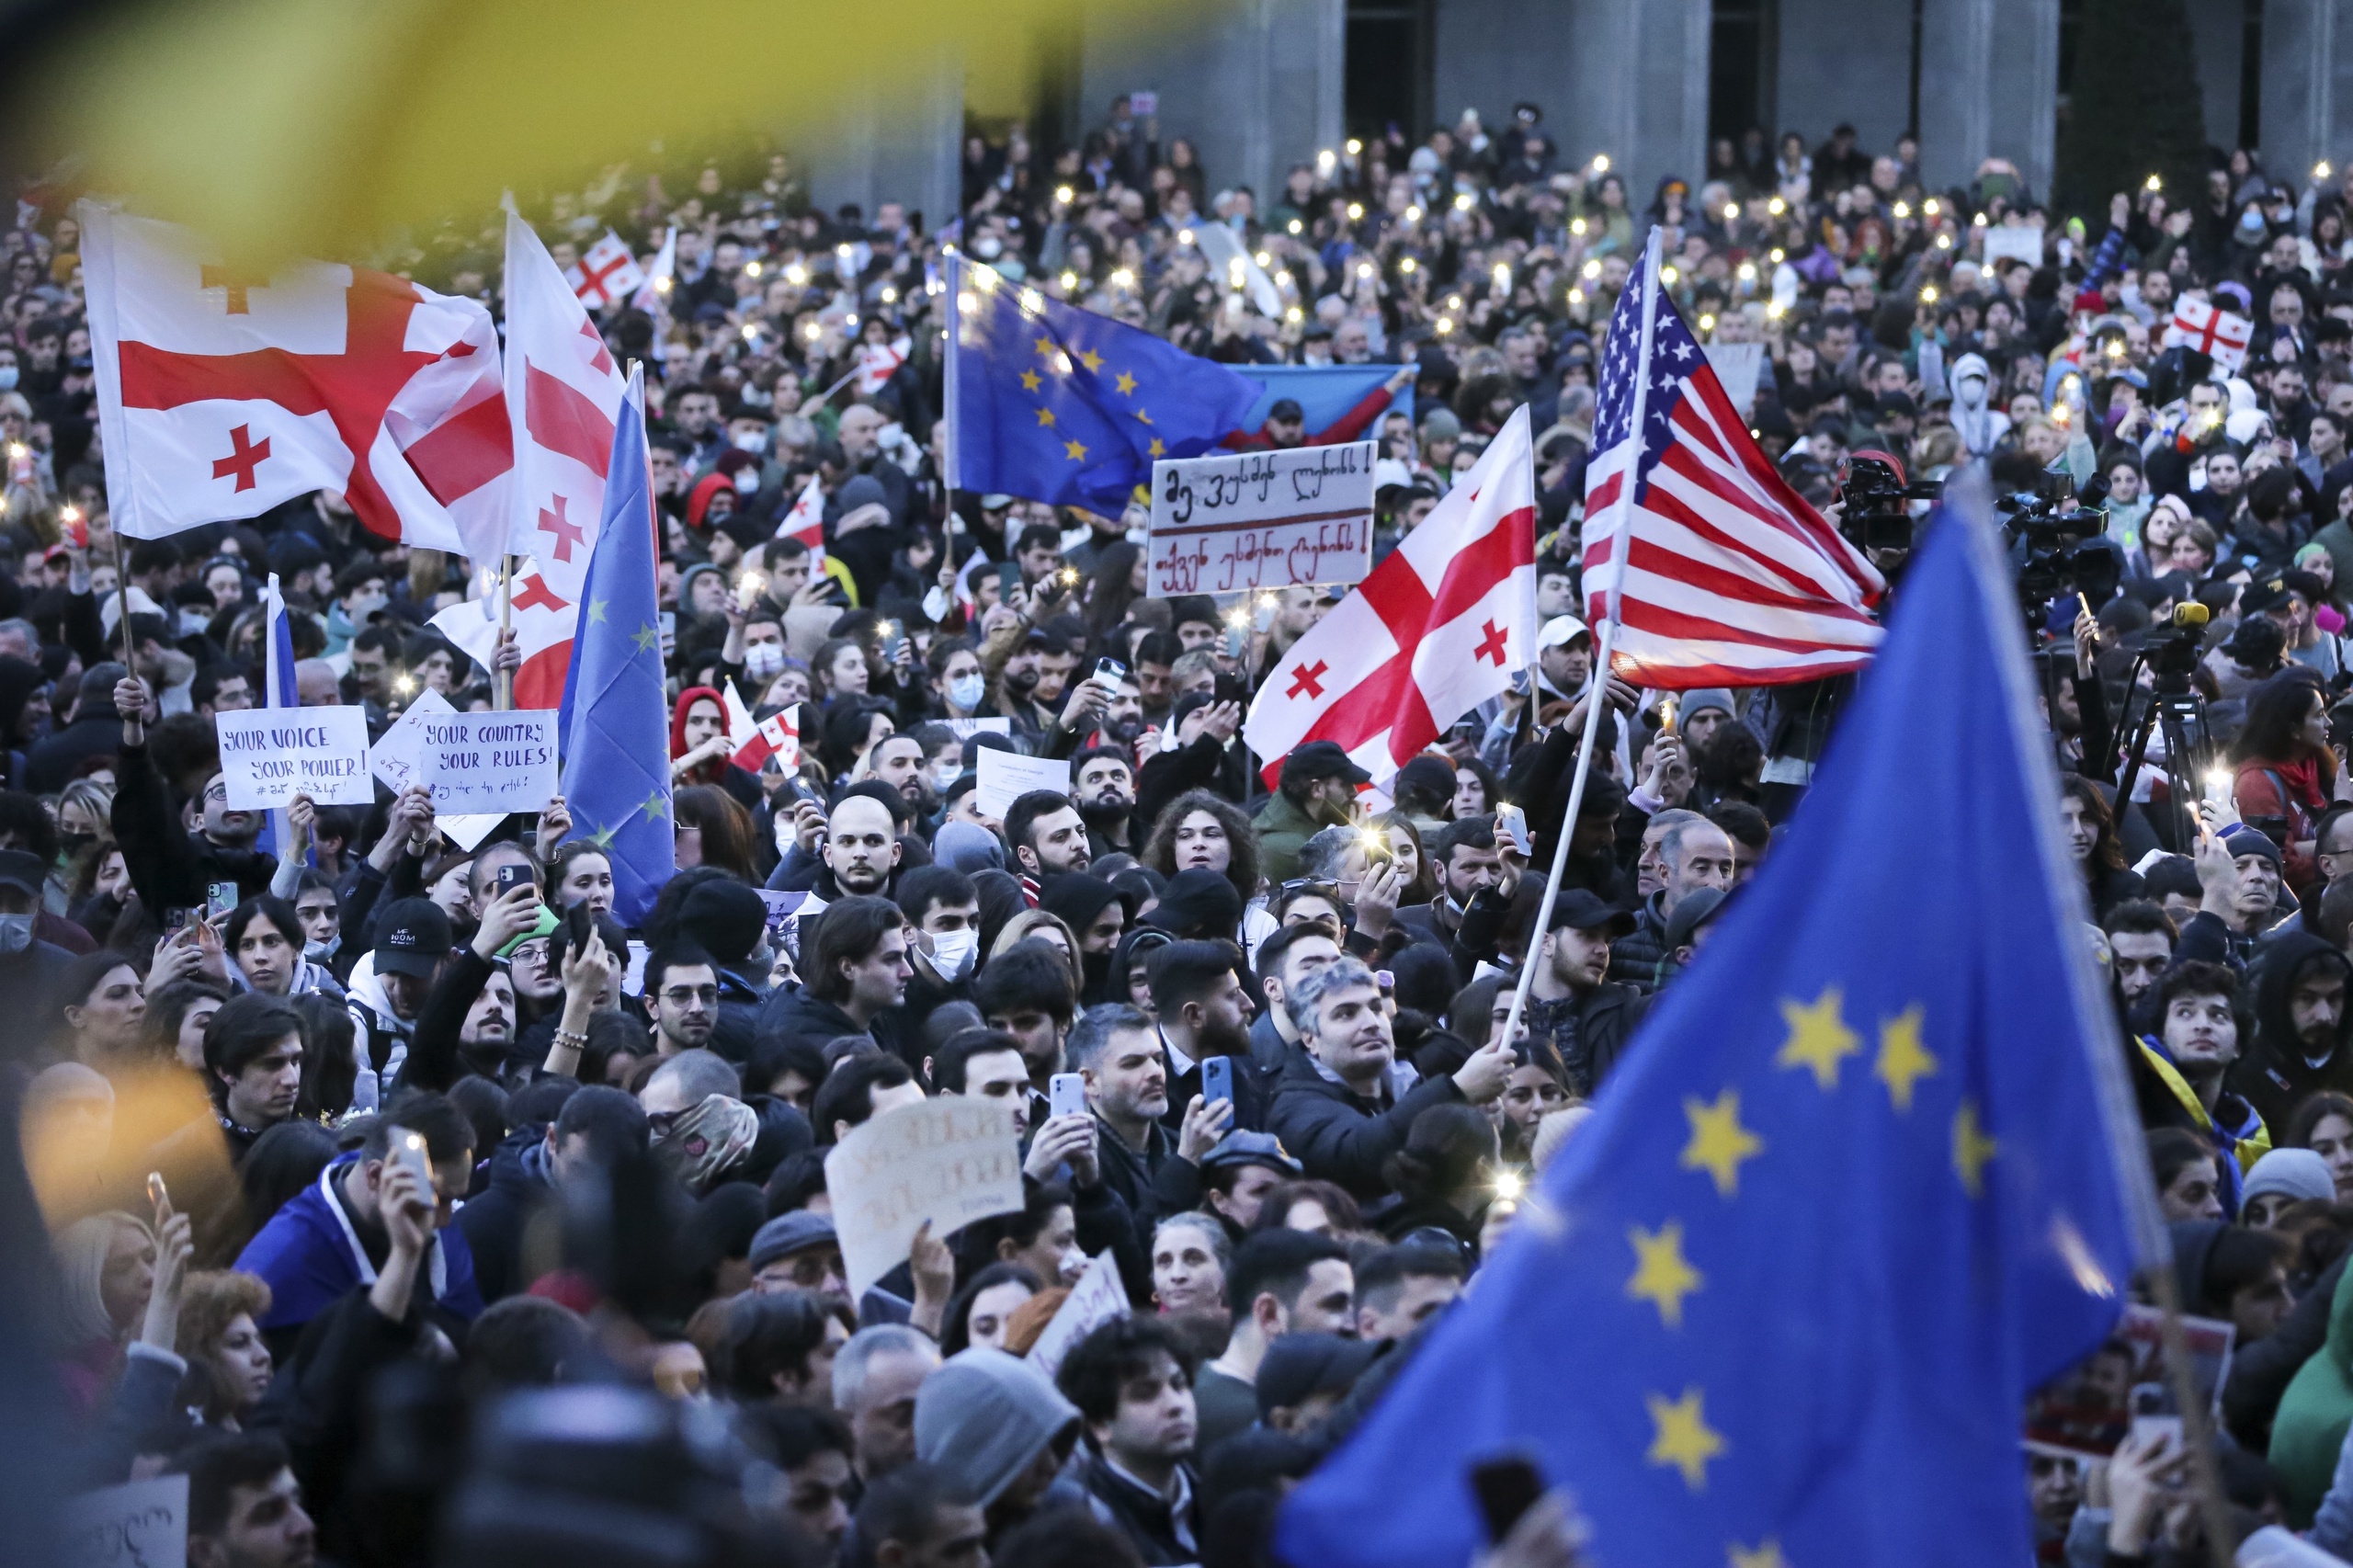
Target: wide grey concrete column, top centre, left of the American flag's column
[{"x": 1255, "y": 86}]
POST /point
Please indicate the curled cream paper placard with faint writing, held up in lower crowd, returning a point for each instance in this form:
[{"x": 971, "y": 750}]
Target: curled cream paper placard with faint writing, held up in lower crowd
[{"x": 952, "y": 1162}]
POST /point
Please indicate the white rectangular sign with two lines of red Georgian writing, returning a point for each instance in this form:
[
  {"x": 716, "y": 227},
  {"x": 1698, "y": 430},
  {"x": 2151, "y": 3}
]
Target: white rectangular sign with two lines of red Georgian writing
[{"x": 1260, "y": 521}]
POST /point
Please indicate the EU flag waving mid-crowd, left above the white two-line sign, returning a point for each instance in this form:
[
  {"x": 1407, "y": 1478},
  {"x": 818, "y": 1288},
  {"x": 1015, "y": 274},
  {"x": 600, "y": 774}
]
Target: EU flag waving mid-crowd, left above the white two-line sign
[{"x": 1065, "y": 406}]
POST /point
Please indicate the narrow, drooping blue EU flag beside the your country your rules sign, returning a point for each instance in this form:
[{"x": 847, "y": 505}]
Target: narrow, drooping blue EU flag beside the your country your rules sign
[{"x": 615, "y": 722}]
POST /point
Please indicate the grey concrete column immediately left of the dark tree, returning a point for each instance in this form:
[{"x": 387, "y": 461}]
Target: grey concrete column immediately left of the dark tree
[{"x": 1989, "y": 88}]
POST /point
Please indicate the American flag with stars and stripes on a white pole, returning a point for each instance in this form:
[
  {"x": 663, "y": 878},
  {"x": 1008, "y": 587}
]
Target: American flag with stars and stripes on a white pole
[{"x": 1717, "y": 573}]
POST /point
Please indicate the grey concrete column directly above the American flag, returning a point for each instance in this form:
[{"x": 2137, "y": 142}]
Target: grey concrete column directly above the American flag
[{"x": 1641, "y": 88}]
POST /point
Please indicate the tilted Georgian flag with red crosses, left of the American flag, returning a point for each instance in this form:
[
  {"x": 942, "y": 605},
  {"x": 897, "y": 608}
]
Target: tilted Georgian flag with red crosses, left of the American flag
[{"x": 1434, "y": 632}]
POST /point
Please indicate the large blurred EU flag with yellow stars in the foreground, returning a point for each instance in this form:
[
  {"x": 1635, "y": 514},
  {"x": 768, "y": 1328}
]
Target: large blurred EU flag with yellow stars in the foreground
[{"x": 1865, "y": 1178}]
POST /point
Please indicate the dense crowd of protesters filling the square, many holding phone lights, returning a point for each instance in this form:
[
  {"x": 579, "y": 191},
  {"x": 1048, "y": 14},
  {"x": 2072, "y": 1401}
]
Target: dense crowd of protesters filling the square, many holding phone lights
[{"x": 354, "y": 1143}]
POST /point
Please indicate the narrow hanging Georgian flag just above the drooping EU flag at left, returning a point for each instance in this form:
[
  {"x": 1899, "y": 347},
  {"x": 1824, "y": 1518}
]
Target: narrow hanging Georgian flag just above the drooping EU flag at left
[{"x": 564, "y": 394}]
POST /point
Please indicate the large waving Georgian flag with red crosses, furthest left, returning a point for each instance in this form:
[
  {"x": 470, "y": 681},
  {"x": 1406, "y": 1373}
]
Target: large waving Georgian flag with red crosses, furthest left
[{"x": 227, "y": 392}]
